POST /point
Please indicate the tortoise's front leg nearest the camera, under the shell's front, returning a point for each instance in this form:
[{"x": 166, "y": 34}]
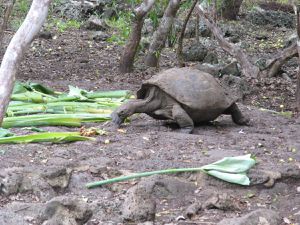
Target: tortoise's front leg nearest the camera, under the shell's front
[{"x": 184, "y": 121}]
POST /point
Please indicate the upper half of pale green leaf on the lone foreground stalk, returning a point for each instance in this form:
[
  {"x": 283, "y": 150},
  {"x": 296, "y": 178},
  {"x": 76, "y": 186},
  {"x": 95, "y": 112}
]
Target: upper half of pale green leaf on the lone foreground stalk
[{"x": 237, "y": 164}]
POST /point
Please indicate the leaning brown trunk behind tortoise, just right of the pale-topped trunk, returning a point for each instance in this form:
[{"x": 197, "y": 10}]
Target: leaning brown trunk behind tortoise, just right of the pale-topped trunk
[{"x": 160, "y": 36}]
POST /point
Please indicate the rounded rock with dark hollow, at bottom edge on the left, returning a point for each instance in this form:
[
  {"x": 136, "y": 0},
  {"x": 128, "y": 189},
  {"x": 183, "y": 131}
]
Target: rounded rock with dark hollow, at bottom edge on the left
[{"x": 64, "y": 210}]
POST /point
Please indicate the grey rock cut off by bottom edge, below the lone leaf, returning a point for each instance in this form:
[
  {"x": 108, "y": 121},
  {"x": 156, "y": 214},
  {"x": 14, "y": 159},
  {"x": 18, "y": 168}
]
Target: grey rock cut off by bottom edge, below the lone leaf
[{"x": 257, "y": 217}]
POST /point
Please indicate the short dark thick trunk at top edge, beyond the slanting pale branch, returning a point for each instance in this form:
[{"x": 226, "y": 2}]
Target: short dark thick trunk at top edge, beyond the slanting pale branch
[{"x": 230, "y": 9}]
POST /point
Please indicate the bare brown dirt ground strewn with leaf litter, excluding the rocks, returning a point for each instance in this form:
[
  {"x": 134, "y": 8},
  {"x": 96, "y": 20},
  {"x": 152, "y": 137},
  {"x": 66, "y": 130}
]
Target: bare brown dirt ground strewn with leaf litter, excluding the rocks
[{"x": 74, "y": 59}]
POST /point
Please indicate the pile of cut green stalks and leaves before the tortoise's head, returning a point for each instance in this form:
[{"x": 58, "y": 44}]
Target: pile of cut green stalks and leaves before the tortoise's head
[{"x": 35, "y": 105}]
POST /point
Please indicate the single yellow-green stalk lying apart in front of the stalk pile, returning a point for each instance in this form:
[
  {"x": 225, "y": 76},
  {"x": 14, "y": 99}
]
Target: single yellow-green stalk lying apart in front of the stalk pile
[{"x": 55, "y": 137}]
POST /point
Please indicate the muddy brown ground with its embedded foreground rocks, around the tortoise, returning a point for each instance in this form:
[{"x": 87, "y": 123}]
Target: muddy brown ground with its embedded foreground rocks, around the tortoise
[{"x": 45, "y": 183}]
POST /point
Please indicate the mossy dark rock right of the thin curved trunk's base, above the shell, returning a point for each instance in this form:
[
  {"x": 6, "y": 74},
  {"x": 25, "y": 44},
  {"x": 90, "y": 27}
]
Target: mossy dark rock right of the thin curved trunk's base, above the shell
[{"x": 194, "y": 52}]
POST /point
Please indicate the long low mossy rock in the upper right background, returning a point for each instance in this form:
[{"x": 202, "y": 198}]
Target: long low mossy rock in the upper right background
[{"x": 273, "y": 18}]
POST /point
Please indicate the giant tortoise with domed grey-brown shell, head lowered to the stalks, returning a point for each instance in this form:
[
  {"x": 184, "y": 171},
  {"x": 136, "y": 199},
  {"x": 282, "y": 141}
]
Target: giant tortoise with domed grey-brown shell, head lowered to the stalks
[{"x": 184, "y": 95}]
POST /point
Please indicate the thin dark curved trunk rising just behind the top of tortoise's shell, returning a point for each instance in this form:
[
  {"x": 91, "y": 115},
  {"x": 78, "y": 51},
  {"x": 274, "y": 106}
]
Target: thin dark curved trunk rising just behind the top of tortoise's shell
[{"x": 181, "y": 37}]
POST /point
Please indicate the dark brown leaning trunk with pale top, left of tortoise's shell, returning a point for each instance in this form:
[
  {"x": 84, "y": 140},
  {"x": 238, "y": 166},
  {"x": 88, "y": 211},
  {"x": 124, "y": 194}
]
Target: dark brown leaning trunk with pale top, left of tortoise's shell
[{"x": 127, "y": 59}]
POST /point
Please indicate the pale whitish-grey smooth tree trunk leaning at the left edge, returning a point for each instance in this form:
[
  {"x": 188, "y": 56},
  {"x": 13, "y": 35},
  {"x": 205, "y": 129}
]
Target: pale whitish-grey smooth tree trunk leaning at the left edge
[{"x": 15, "y": 50}]
